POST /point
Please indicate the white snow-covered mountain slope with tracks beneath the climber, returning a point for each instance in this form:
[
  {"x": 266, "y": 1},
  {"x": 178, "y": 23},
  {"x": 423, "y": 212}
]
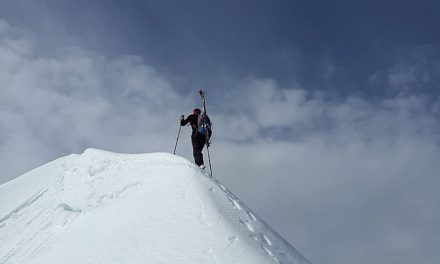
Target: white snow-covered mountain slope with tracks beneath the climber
[{"x": 102, "y": 207}]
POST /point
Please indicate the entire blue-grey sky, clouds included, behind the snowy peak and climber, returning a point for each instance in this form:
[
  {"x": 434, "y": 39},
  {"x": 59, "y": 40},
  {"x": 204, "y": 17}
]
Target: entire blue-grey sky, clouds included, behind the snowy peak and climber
[{"x": 325, "y": 112}]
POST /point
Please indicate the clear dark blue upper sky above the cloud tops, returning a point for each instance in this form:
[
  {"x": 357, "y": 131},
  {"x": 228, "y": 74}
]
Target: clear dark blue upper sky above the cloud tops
[{"x": 332, "y": 45}]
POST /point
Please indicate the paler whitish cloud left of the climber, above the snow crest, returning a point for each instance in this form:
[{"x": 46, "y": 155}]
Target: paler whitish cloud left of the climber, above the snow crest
[{"x": 51, "y": 106}]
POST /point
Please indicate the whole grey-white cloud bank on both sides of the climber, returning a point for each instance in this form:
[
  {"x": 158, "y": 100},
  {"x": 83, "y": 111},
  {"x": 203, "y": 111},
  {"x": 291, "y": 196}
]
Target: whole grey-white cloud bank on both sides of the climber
[{"x": 343, "y": 179}]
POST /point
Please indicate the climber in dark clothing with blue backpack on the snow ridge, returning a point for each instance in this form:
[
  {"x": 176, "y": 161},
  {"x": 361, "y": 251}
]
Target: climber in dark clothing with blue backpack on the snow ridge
[{"x": 201, "y": 133}]
